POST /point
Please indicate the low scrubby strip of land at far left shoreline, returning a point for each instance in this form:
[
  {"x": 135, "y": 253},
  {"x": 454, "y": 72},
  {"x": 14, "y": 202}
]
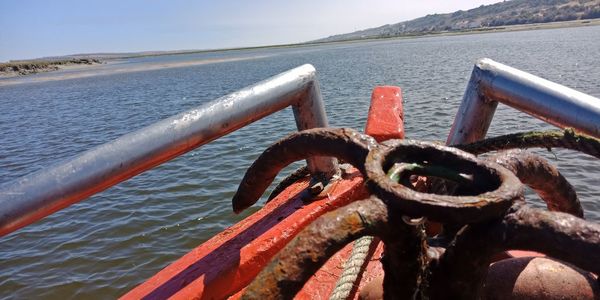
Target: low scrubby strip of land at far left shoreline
[{"x": 17, "y": 68}]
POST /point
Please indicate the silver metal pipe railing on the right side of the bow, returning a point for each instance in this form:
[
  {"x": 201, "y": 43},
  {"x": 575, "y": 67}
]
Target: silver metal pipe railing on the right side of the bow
[{"x": 492, "y": 82}]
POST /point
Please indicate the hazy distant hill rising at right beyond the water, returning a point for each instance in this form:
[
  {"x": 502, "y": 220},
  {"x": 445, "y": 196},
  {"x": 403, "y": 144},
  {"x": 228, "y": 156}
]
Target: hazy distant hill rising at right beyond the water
[{"x": 512, "y": 12}]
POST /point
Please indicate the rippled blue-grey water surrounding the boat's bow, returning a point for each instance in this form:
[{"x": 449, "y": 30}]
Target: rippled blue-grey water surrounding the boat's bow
[{"x": 106, "y": 245}]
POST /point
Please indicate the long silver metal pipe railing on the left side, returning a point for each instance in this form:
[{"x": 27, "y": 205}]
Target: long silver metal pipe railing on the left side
[{"x": 34, "y": 196}]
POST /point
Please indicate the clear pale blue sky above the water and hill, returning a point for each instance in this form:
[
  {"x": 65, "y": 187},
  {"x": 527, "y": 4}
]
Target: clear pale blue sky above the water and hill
[{"x": 33, "y": 29}]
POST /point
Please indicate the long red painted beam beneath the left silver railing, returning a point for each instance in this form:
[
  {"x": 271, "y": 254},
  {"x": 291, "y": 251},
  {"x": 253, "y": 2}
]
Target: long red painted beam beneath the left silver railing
[{"x": 229, "y": 261}]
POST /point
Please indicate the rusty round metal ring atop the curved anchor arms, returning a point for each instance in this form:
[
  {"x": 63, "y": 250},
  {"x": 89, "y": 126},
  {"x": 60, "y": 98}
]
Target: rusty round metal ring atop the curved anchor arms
[{"x": 495, "y": 188}]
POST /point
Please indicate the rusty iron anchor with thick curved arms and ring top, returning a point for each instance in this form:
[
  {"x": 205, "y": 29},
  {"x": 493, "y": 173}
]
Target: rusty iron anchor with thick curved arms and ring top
[{"x": 480, "y": 203}]
